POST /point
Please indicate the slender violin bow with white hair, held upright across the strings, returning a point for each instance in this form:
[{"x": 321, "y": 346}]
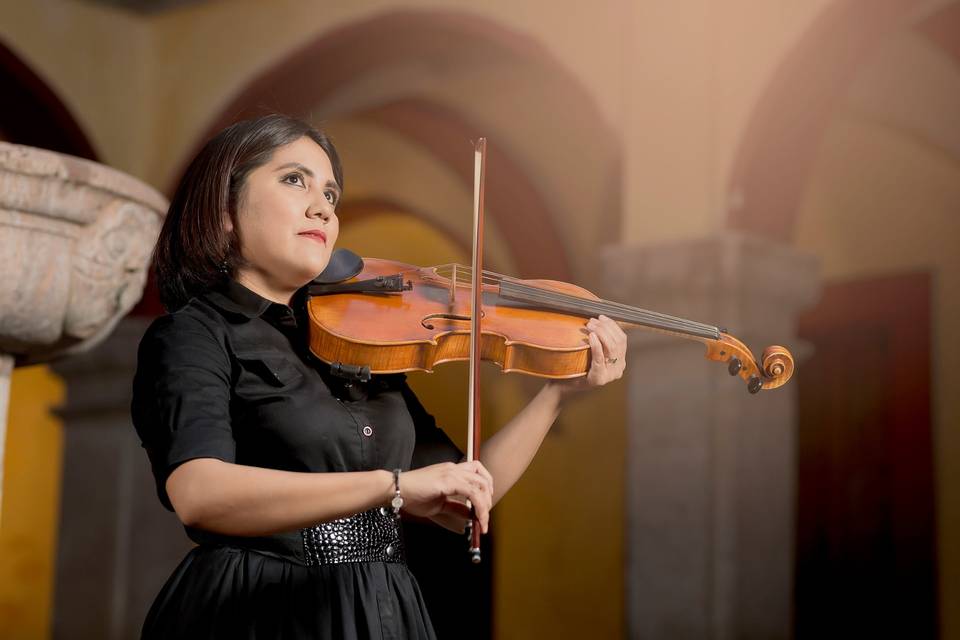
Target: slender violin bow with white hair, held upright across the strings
[{"x": 476, "y": 283}]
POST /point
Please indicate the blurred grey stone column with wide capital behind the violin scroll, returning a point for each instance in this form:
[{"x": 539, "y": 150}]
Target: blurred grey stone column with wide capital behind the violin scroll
[{"x": 710, "y": 467}]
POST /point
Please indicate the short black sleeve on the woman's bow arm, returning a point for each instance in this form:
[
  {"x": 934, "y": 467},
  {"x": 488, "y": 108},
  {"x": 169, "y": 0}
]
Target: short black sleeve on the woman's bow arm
[{"x": 181, "y": 397}]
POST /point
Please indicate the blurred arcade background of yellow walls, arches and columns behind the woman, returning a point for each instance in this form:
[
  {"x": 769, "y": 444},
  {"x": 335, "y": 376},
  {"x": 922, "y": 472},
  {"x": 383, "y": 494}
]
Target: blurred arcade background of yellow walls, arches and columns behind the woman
[{"x": 787, "y": 169}]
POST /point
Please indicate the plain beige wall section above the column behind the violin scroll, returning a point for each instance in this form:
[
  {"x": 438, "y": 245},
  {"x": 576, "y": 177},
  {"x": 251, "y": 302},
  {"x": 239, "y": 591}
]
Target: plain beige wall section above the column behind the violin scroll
[{"x": 692, "y": 73}]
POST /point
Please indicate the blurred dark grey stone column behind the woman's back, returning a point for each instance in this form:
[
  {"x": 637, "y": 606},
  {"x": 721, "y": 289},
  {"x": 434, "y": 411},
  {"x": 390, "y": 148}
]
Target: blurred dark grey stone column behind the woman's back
[{"x": 117, "y": 544}]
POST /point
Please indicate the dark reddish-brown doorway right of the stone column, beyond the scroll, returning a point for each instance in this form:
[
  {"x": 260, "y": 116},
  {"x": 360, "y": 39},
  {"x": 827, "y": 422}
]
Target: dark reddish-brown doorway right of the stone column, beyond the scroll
[{"x": 865, "y": 554}]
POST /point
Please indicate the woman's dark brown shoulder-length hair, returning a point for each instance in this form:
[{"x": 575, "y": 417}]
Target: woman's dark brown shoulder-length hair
[{"x": 194, "y": 252}]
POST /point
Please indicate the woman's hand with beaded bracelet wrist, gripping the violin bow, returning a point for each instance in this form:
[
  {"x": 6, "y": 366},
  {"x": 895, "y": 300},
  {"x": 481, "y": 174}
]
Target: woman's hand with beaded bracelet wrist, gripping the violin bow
[{"x": 440, "y": 490}]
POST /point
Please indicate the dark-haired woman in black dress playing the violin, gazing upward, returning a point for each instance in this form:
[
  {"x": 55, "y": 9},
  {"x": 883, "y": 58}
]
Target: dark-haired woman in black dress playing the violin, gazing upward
[{"x": 283, "y": 473}]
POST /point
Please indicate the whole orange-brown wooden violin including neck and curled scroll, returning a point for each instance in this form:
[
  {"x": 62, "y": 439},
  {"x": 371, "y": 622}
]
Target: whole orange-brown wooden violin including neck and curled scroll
[{"x": 393, "y": 317}]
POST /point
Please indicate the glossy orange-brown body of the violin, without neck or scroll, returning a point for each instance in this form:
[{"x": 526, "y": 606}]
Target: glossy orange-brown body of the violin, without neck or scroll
[{"x": 429, "y": 324}]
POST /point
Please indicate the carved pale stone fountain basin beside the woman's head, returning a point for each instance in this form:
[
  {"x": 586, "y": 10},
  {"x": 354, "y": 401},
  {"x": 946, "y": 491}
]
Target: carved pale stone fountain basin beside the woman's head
[{"x": 75, "y": 243}]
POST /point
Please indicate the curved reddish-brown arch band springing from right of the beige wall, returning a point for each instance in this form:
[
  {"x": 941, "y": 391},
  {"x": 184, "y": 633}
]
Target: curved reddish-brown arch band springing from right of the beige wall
[{"x": 777, "y": 150}]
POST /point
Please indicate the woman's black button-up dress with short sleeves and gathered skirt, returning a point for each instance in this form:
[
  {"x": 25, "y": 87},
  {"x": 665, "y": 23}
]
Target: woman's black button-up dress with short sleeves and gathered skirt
[{"x": 228, "y": 377}]
